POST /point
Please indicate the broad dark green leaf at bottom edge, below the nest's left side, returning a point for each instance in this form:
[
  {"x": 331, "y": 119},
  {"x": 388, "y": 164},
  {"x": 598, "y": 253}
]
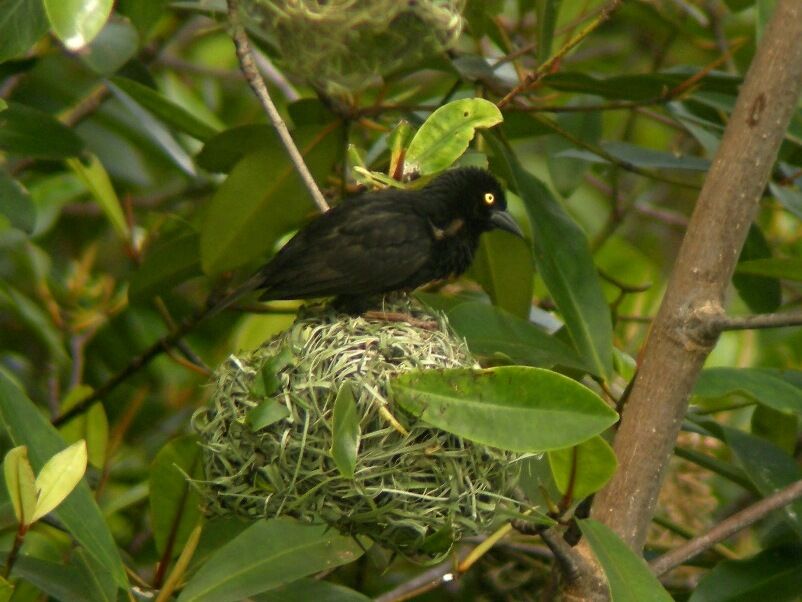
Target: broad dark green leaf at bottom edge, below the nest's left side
[{"x": 267, "y": 555}]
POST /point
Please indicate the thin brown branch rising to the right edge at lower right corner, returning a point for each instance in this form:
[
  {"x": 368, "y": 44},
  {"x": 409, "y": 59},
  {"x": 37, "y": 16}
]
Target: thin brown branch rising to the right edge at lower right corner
[{"x": 729, "y": 526}]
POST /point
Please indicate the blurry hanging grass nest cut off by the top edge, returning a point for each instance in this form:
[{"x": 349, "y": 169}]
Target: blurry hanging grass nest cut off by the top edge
[{"x": 341, "y": 46}]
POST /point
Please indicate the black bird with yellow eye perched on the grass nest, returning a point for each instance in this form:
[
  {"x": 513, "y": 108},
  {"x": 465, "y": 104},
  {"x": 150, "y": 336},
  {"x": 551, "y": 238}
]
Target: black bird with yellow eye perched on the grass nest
[{"x": 388, "y": 240}]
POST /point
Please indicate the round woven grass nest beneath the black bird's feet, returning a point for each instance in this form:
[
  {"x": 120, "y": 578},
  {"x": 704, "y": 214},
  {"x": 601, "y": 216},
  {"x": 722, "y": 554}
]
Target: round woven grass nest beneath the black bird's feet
[{"x": 415, "y": 490}]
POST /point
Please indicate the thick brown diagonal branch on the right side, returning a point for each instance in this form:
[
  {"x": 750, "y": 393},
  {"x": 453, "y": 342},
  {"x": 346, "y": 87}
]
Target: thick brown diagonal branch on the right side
[{"x": 680, "y": 338}]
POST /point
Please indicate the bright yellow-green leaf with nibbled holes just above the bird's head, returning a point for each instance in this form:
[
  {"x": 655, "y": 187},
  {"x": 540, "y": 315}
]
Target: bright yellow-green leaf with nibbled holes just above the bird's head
[{"x": 445, "y": 134}]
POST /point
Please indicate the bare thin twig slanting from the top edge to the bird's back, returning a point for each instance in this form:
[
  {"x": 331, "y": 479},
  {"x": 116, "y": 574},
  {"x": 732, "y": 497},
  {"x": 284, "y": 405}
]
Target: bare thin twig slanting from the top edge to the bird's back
[{"x": 254, "y": 79}]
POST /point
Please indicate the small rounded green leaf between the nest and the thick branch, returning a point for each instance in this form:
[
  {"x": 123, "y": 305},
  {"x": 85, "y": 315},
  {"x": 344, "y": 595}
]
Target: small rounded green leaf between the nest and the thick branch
[{"x": 588, "y": 465}]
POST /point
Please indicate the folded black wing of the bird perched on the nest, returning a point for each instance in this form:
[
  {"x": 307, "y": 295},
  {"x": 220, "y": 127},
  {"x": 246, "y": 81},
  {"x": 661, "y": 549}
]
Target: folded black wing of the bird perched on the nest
[{"x": 367, "y": 248}]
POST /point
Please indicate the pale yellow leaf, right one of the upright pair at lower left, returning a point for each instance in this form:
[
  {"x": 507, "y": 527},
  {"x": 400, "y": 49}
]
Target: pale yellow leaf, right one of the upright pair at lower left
[{"x": 58, "y": 477}]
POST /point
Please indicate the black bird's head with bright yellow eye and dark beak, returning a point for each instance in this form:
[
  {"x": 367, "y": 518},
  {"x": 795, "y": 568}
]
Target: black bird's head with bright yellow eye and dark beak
[{"x": 477, "y": 196}]
